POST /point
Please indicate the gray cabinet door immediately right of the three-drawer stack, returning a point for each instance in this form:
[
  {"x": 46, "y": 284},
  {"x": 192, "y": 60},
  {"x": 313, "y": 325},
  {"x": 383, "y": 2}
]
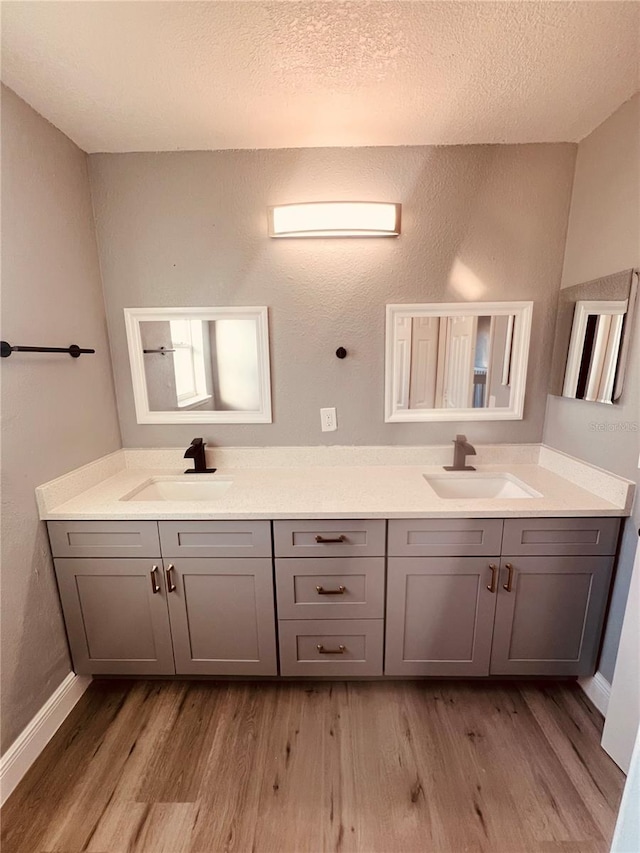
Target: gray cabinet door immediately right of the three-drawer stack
[{"x": 440, "y": 615}]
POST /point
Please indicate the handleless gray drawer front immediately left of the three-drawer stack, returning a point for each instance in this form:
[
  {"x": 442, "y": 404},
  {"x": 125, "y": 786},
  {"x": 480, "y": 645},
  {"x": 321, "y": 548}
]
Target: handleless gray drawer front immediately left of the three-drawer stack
[{"x": 215, "y": 538}]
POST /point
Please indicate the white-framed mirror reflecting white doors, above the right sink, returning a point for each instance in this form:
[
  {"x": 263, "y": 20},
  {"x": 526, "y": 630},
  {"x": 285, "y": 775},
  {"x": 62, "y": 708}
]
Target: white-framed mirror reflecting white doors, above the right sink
[{"x": 456, "y": 362}]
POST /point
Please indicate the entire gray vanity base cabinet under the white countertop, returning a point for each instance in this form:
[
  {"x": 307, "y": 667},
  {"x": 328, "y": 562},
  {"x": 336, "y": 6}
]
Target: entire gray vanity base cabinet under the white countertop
[{"x": 197, "y": 597}]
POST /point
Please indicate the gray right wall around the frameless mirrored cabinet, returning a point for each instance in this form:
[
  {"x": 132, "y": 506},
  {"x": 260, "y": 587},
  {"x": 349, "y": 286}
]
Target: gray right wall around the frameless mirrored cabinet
[{"x": 604, "y": 237}]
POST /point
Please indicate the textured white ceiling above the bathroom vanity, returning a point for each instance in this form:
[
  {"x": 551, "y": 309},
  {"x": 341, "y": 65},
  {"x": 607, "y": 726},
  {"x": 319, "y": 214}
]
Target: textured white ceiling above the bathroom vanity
[{"x": 163, "y": 76}]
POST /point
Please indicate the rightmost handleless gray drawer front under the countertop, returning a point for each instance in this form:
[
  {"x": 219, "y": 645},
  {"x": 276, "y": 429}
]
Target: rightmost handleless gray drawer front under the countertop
[{"x": 561, "y": 536}]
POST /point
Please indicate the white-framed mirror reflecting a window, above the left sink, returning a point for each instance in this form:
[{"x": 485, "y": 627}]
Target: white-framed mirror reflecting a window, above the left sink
[{"x": 199, "y": 365}]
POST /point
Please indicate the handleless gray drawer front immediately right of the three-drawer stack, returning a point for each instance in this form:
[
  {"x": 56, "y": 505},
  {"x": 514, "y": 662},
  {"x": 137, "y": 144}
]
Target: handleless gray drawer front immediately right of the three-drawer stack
[{"x": 445, "y": 537}]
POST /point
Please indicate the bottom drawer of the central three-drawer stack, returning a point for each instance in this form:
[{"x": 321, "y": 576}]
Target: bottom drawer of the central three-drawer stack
[{"x": 331, "y": 647}]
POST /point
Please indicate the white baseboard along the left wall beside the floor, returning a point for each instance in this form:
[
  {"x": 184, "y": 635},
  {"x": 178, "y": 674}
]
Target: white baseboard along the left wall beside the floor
[{"x": 28, "y": 745}]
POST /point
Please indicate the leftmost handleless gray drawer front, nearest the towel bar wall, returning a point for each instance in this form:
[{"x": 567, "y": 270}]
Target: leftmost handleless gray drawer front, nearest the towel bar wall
[{"x": 104, "y": 538}]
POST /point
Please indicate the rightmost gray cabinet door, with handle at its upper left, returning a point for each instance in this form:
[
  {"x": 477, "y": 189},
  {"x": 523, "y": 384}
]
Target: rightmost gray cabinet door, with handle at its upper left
[{"x": 550, "y": 621}]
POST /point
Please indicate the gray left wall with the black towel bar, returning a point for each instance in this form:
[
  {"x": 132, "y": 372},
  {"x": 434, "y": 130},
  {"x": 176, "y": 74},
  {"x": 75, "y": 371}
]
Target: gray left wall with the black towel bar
[{"x": 57, "y": 412}]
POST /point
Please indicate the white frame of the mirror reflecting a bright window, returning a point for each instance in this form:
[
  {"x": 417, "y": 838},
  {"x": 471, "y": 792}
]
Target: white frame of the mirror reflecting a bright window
[{"x": 144, "y": 415}]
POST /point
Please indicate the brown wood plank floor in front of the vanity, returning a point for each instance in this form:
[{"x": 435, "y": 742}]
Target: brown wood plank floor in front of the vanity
[{"x": 203, "y": 767}]
